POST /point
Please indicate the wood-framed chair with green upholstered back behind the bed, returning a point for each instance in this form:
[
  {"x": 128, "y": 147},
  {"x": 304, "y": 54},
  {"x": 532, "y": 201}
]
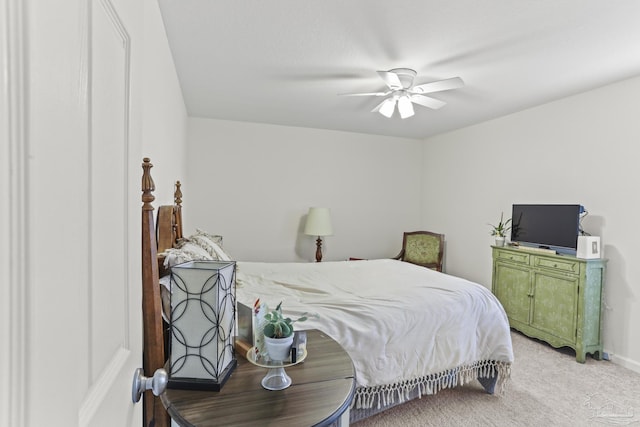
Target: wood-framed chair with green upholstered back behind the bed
[{"x": 423, "y": 248}]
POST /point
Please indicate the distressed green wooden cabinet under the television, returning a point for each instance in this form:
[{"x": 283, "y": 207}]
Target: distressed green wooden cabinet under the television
[{"x": 555, "y": 298}]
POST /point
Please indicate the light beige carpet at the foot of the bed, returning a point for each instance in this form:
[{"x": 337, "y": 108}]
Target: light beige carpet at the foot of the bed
[{"x": 547, "y": 388}]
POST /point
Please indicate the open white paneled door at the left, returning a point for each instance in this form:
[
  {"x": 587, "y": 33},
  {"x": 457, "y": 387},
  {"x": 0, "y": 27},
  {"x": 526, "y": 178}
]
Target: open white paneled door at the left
[{"x": 71, "y": 160}]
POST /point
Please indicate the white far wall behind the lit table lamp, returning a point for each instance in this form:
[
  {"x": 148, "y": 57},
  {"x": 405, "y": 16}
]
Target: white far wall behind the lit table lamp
[{"x": 253, "y": 183}]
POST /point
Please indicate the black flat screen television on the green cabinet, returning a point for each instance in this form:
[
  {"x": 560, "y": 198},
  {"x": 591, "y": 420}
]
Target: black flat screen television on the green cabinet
[{"x": 553, "y": 227}]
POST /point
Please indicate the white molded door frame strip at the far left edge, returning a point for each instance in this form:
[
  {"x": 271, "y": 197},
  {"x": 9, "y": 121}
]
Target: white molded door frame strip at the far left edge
[{"x": 13, "y": 296}]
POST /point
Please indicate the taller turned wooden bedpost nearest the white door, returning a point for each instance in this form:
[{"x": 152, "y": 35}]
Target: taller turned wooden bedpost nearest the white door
[{"x": 153, "y": 342}]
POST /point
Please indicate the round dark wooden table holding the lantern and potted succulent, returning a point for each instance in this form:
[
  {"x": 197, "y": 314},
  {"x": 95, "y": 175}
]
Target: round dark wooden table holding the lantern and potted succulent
[{"x": 321, "y": 393}]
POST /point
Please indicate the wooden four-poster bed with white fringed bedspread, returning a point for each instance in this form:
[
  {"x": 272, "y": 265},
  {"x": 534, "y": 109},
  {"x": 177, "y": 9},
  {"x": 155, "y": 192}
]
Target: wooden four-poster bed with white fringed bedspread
[{"x": 409, "y": 330}]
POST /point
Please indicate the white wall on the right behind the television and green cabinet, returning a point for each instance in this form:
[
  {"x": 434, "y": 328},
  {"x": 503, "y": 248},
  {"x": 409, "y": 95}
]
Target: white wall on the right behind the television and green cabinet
[{"x": 581, "y": 149}]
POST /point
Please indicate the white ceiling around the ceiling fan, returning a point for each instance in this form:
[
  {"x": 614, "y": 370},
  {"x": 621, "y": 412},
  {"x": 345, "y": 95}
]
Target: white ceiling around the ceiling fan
[{"x": 285, "y": 61}]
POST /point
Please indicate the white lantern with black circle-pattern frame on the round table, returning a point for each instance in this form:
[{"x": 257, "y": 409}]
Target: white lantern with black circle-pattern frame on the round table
[{"x": 202, "y": 325}]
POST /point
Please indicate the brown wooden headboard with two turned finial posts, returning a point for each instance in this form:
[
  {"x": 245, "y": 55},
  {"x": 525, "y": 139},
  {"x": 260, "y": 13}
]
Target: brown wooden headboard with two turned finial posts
[{"x": 154, "y": 241}]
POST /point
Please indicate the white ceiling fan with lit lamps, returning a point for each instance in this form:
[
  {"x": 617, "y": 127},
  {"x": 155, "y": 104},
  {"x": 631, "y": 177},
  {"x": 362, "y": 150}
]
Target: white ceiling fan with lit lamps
[{"x": 403, "y": 92}]
